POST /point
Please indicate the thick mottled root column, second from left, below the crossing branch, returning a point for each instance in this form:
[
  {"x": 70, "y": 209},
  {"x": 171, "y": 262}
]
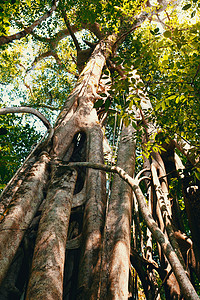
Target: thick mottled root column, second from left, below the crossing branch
[{"x": 46, "y": 281}]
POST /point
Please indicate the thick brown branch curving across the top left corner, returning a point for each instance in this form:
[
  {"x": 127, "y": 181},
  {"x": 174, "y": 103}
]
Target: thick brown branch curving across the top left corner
[{"x": 17, "y": 36}]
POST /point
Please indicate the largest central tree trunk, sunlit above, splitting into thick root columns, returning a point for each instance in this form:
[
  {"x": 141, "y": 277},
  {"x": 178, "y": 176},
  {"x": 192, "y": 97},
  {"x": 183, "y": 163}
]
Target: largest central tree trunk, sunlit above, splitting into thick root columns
[{"x": 78, "y": 120}]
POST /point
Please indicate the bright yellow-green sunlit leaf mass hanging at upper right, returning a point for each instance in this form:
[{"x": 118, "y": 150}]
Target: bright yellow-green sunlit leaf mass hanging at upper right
[{"x": 169, "y": 64}]
